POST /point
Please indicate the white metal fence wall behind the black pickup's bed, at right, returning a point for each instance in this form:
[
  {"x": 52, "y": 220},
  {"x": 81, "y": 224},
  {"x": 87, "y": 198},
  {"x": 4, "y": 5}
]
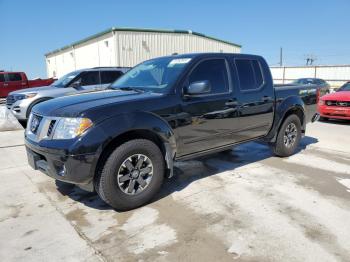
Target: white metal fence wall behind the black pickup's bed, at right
[{"x": 334, "y": 75}]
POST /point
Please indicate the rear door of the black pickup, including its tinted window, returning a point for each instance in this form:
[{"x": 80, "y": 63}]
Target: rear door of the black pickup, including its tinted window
[{"x": 255, "y": 95}]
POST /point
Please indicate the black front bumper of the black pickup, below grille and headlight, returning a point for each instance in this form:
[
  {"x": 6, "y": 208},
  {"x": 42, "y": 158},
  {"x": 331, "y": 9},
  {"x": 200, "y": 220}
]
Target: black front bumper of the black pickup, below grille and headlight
[{"x": 74, "y": 169}]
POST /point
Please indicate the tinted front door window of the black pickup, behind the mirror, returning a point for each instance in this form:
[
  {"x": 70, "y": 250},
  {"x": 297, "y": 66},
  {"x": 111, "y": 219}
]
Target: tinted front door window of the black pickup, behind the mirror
[{"x": 214, "y": 71}]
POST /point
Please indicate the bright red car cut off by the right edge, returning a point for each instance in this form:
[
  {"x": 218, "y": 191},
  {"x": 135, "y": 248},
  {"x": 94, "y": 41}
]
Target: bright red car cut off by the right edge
[{"x": 336, "y": 105}]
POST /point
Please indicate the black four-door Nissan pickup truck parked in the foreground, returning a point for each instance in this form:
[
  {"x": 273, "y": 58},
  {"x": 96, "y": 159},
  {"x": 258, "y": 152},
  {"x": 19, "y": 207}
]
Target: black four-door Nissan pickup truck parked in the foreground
[{"x": 122, "y": 142}]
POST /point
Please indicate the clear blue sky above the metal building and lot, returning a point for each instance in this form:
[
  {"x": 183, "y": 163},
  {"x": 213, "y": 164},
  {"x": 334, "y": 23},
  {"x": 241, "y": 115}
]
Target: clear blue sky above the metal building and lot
[{"x": 32, "y": 28}]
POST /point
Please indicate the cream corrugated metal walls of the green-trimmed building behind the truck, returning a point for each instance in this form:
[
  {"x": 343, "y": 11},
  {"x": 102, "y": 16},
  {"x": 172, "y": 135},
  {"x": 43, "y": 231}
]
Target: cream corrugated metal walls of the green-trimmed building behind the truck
[{"x": 123, "y": 48}]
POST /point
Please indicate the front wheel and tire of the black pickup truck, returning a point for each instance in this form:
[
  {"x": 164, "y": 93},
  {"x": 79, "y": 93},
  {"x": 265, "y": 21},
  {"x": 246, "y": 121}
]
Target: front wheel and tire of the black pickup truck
[{"x": 116, "y": 193}]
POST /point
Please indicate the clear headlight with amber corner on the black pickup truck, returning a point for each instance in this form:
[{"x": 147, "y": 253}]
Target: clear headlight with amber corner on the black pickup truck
[{"x": 68, "y": 128}]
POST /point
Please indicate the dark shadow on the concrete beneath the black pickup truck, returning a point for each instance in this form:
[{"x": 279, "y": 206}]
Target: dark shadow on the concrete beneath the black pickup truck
[{"x": 189, "y": 171}]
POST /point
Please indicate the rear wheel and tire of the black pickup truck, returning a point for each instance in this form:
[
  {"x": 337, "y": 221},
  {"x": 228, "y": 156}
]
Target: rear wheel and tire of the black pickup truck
[{"x": 286, "y": 146}]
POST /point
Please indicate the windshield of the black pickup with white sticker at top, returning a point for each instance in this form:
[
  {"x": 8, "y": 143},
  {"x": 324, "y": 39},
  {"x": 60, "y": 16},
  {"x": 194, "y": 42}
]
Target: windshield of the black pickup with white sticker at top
[{"x": 156, "y": 75}]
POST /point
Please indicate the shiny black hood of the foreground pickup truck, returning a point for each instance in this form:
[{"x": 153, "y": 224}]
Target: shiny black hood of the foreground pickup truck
[{"x": 78, "y": 105}]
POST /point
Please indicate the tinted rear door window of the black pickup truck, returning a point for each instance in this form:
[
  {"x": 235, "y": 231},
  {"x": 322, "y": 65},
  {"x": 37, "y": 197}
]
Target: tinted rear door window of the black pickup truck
[{"x": 249, "y": 73}]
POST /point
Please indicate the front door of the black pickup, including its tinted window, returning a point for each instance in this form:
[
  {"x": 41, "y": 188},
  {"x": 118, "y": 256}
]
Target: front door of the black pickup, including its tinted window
[{"x": 208, "y": 120}]
